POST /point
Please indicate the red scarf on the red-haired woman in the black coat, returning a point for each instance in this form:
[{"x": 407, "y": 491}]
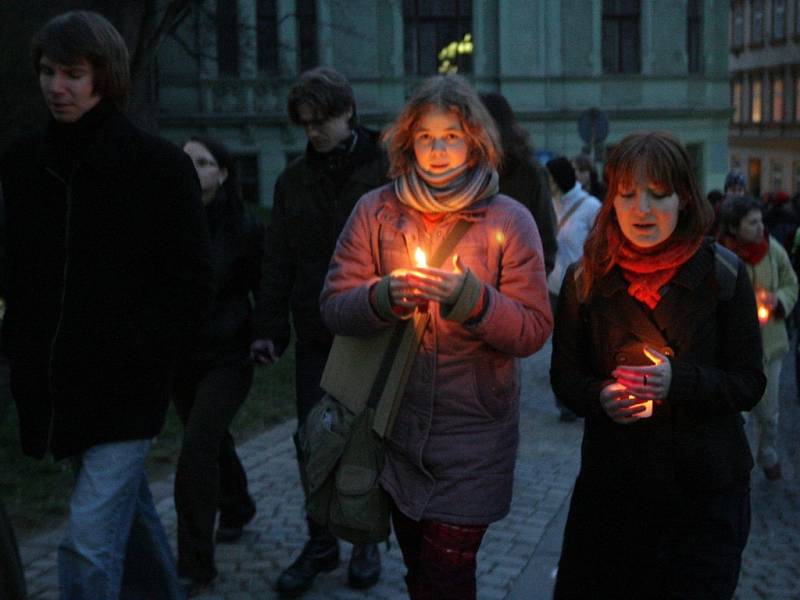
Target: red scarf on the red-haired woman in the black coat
[{"x": 647, "y": 270}]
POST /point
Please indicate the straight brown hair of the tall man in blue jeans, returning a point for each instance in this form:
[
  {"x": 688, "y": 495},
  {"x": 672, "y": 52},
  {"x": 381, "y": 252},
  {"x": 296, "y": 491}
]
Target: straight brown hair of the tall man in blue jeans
[{"x": 83, "y": 34}]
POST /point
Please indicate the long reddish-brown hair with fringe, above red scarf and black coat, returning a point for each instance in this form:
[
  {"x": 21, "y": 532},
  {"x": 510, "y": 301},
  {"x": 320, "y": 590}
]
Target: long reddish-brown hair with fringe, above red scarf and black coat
[{"x": 662, "y": 159}]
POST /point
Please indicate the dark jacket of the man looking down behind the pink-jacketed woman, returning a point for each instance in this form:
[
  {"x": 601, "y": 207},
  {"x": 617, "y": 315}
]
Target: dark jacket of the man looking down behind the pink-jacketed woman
[{"x": 313, "y": 199}]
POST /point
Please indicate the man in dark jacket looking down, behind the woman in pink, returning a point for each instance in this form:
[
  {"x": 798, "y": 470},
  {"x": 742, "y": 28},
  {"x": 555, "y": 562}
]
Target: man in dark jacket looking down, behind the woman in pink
[{"x": 313, "y": 199}]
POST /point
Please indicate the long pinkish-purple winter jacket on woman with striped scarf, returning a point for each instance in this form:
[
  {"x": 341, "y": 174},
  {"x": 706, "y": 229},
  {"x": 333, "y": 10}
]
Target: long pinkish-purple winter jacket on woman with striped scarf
[{"x": 451, "y": 454}]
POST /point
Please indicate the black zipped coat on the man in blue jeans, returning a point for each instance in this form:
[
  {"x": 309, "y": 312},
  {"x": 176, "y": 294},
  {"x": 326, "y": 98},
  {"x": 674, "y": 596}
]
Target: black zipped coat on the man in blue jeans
[{"x": 108, "y": 274}]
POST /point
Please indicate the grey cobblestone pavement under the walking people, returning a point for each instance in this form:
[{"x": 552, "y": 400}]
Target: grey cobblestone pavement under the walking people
[{"x": 518, "y": 556}]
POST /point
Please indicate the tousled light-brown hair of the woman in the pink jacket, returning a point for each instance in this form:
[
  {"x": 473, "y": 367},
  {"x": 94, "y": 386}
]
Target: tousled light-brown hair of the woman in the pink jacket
[{"x": 450, "y": 93}]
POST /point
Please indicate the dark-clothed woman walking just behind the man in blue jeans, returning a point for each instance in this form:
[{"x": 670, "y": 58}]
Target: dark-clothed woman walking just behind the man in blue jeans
[{"x": 212, "y": 381}]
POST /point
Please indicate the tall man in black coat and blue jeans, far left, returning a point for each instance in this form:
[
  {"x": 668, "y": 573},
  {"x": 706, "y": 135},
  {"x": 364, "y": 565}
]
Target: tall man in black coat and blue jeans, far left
[{"x": 108, "y": 273}]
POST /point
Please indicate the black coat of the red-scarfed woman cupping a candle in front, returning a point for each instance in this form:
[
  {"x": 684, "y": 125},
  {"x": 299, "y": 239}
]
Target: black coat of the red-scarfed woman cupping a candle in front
[{"x": 636, "y": 479}]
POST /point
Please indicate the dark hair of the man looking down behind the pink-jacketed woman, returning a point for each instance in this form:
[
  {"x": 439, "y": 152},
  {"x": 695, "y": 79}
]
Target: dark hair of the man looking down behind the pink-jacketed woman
[{"x": 325, "y": 91}]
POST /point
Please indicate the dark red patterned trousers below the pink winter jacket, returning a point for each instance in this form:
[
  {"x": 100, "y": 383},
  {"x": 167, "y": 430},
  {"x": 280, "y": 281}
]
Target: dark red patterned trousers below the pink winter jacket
[{"x": 439, "y": 557}]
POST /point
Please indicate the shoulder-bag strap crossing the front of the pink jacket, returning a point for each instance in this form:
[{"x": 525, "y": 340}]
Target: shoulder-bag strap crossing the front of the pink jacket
[{"x": 386, "y": 408}]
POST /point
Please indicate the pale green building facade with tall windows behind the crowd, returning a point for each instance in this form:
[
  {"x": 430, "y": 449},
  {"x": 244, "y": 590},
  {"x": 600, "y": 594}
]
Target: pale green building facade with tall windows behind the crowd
[{"x": 645, "y": 63}]
